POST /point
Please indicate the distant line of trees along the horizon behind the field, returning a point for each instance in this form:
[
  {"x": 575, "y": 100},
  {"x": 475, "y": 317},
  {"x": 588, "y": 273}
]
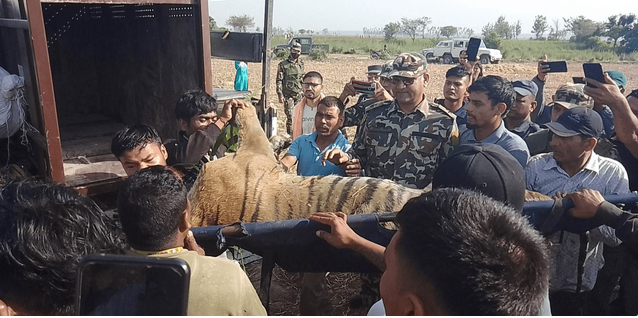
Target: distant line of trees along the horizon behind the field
[{"x": 619, "y": 33}]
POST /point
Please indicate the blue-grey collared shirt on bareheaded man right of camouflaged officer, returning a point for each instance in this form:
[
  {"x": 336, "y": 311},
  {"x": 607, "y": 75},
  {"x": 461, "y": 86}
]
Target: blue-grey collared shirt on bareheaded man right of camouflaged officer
[{"x": 512, "y": 143}]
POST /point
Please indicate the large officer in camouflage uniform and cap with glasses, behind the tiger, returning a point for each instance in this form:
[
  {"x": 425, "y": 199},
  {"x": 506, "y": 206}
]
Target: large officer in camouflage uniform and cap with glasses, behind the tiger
[{"x": 405, "y": 139}]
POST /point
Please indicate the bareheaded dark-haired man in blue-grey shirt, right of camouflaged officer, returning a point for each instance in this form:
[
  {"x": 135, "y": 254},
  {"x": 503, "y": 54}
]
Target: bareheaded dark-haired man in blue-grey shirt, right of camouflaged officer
[{"x": 490, "y": 98}]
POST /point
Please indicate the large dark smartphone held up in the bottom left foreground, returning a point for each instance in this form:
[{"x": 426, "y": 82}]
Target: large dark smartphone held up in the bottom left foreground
[{"x": 115, "y": 285}]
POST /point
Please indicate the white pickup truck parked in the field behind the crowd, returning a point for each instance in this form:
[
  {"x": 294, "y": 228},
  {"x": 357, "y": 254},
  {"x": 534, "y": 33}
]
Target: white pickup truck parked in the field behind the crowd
[{"x": 448, "y": 52}]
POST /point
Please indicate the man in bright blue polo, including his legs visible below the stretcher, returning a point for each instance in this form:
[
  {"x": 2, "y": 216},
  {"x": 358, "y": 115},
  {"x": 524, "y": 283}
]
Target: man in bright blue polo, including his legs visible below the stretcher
[{"x": 307, "y": 151}]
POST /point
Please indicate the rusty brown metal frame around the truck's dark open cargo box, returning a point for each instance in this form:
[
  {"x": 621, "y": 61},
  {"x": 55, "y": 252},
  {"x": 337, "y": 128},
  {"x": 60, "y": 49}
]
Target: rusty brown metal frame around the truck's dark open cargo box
[{"x": 44, "y": 109}]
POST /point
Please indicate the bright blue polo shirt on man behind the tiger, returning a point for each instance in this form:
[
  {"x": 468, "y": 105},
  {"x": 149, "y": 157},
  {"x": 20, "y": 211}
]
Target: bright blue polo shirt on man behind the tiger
[{"x": 308, "y": 155}]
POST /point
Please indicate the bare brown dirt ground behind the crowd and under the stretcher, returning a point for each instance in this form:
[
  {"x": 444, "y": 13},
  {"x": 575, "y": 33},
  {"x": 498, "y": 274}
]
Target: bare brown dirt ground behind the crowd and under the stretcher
[{"x": 337, "y": 71}]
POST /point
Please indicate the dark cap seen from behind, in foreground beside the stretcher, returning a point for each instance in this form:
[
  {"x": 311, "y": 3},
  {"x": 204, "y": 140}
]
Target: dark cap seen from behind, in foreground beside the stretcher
[{"x": 486, "y": 168}]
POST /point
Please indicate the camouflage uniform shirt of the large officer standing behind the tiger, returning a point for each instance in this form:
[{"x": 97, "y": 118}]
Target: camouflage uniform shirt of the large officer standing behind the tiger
[{"x": 405, "y": 148}]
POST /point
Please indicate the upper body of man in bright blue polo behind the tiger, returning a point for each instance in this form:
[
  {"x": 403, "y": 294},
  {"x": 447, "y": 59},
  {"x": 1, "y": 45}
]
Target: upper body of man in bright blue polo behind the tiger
[{"x": 307, "y": 150}]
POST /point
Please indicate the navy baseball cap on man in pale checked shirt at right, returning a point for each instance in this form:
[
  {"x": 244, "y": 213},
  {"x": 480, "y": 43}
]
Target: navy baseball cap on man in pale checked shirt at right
[{"x": 577, "y": 121}]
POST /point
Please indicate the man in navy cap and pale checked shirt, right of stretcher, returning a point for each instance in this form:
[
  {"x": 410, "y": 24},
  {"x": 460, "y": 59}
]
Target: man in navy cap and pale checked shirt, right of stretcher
[{"x": 571, "y": 167}]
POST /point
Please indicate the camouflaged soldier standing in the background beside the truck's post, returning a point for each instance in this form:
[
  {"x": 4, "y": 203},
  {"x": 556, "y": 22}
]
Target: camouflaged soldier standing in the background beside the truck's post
[{"x": 289, "y": 75}]
